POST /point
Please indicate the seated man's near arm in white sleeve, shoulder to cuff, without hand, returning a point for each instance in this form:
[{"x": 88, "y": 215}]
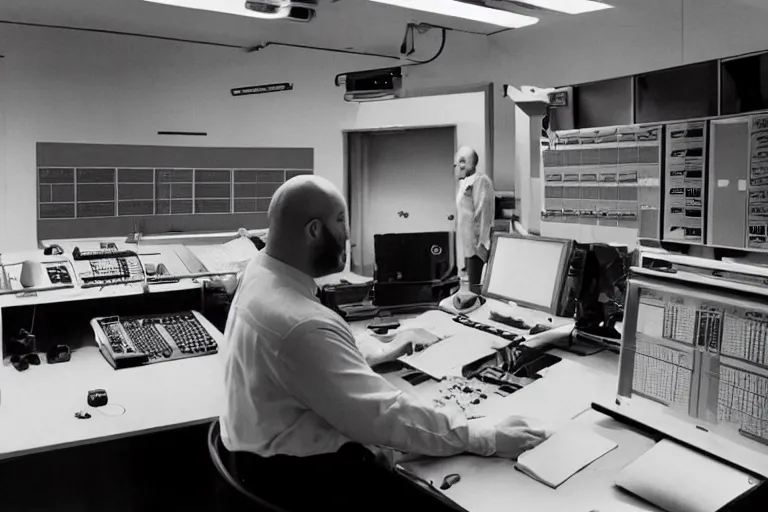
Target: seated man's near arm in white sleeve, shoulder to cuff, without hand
[{"x": 331, "y": 377}]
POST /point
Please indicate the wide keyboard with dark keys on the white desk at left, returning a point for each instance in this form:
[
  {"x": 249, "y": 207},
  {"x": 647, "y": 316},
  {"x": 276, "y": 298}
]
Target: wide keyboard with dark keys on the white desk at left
[{"x": 138, "y": 340}]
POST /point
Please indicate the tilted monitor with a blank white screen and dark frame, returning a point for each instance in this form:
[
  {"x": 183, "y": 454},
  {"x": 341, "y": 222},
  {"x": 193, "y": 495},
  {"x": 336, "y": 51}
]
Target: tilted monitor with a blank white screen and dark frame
[{"x": 530, "y": 271}]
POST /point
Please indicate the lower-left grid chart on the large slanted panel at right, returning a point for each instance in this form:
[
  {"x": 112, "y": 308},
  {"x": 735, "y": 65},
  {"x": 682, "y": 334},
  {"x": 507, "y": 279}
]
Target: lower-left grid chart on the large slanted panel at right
[{"x": 662, "y": 373}]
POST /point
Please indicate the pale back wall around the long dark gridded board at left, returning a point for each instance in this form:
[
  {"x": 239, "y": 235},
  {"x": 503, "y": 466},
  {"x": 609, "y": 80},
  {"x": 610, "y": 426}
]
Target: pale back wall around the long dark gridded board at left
[{"x": 65, "y": 86}]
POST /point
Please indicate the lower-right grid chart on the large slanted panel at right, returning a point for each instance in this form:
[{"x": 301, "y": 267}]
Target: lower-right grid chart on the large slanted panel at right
[{"x": 743, "y": 399}]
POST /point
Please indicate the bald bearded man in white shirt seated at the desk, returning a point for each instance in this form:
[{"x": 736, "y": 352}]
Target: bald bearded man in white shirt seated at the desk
[{"x": 304, "y": 413}]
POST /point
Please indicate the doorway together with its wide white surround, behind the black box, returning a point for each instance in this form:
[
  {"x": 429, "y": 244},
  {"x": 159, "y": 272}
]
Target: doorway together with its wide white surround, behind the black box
[{"x": 394, "y": 151}]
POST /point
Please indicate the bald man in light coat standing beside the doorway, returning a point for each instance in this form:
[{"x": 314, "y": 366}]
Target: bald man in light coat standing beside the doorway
[{"x": 475, "y": 207}]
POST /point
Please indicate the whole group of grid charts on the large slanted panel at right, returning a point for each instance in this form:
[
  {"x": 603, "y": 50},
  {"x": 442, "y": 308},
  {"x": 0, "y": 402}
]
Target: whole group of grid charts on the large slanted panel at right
[{"x": 732, "y": 343}]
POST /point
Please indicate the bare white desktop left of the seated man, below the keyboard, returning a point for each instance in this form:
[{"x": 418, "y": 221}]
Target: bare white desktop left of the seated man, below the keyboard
[{"x": 37, "y": 407}]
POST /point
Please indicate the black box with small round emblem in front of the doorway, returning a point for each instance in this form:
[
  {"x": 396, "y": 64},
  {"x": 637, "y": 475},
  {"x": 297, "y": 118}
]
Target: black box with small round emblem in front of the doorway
[{"x": 414, "y": 257}]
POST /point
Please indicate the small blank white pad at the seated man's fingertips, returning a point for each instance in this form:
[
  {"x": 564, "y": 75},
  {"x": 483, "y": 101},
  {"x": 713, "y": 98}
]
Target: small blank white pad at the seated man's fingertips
[{"x": 563, "y": 455}]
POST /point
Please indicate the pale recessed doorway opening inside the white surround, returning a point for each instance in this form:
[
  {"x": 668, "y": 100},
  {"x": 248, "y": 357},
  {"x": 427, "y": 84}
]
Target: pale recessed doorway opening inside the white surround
[{"x": 400, "y": 181}]
